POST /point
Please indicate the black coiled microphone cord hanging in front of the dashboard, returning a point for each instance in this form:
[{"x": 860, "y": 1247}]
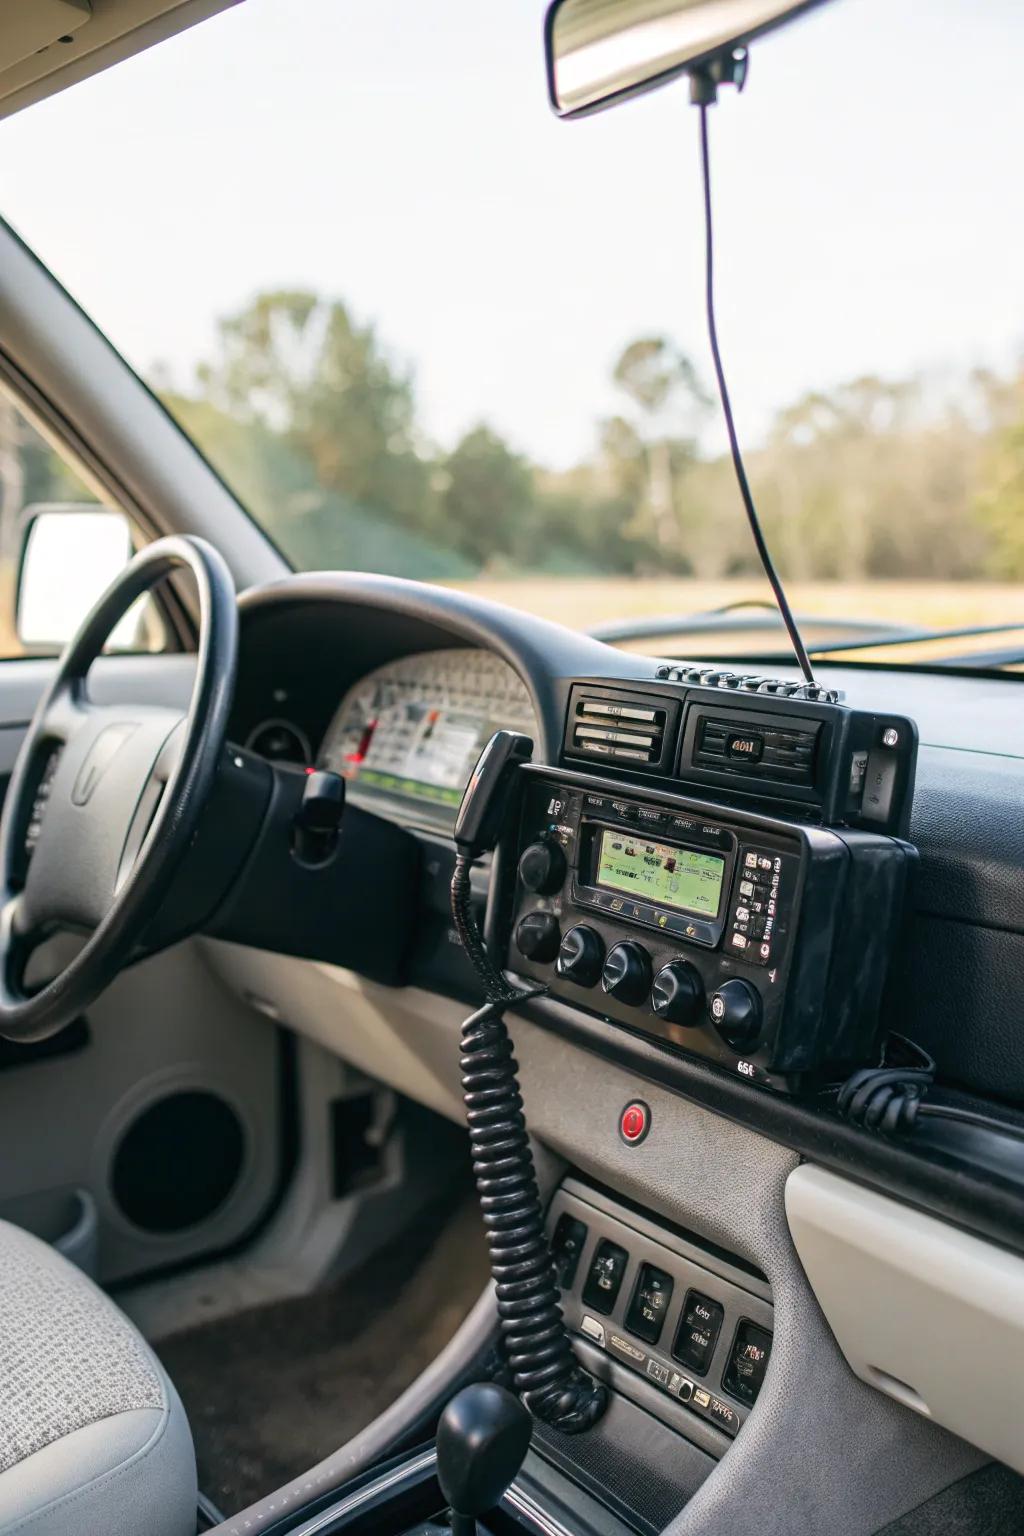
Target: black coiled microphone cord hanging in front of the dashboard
[{"x": 544, "y": 1368}]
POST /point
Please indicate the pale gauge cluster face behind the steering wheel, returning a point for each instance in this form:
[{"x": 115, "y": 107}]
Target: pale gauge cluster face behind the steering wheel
[{"x": 412, "y": 730}]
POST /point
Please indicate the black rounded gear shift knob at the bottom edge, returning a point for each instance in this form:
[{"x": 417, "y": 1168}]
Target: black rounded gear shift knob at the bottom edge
[{"x": 483, "y": 1440}]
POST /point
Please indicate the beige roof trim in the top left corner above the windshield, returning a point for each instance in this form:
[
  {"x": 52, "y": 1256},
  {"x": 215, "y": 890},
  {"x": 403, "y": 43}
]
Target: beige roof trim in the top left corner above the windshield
[{"x": 48, "y": 45}]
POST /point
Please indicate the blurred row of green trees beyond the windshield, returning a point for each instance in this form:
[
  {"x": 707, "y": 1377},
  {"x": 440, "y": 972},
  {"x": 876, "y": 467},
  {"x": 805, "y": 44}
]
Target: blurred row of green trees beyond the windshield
[{"x": 314, "y": 423}]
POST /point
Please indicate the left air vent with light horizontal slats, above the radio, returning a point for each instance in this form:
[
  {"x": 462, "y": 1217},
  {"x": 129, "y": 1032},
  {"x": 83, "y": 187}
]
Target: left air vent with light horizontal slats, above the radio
[{"x": 630, "y": 730}]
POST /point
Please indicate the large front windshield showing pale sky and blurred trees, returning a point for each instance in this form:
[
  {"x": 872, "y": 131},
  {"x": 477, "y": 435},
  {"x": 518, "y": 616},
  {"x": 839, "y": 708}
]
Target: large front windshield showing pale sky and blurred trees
[{"x": 423, "y": 328}]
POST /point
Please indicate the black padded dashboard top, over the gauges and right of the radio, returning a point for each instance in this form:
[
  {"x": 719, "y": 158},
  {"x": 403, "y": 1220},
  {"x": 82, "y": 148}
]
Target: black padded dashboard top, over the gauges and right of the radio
[{"x": 959, "y": 987}]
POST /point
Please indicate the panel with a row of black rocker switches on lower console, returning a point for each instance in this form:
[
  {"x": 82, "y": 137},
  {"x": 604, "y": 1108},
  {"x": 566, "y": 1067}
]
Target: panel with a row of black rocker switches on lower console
[{"x": 681, "y": 1329}]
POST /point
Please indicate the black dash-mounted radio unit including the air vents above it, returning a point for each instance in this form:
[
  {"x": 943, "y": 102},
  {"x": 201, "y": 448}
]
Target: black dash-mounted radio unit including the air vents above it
[{"x": 741, "y": 905}]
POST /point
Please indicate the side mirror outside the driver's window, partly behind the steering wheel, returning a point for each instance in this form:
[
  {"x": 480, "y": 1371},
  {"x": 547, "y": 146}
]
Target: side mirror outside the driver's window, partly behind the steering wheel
[{"x": 70, "y": 557}]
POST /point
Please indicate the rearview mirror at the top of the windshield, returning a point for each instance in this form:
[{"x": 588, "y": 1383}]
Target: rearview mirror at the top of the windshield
[{"x": 603, "y": 53}]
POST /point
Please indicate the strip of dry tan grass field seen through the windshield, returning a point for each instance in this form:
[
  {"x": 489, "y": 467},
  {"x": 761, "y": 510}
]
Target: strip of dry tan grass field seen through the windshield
[{"x": 587, "y": 601}]
